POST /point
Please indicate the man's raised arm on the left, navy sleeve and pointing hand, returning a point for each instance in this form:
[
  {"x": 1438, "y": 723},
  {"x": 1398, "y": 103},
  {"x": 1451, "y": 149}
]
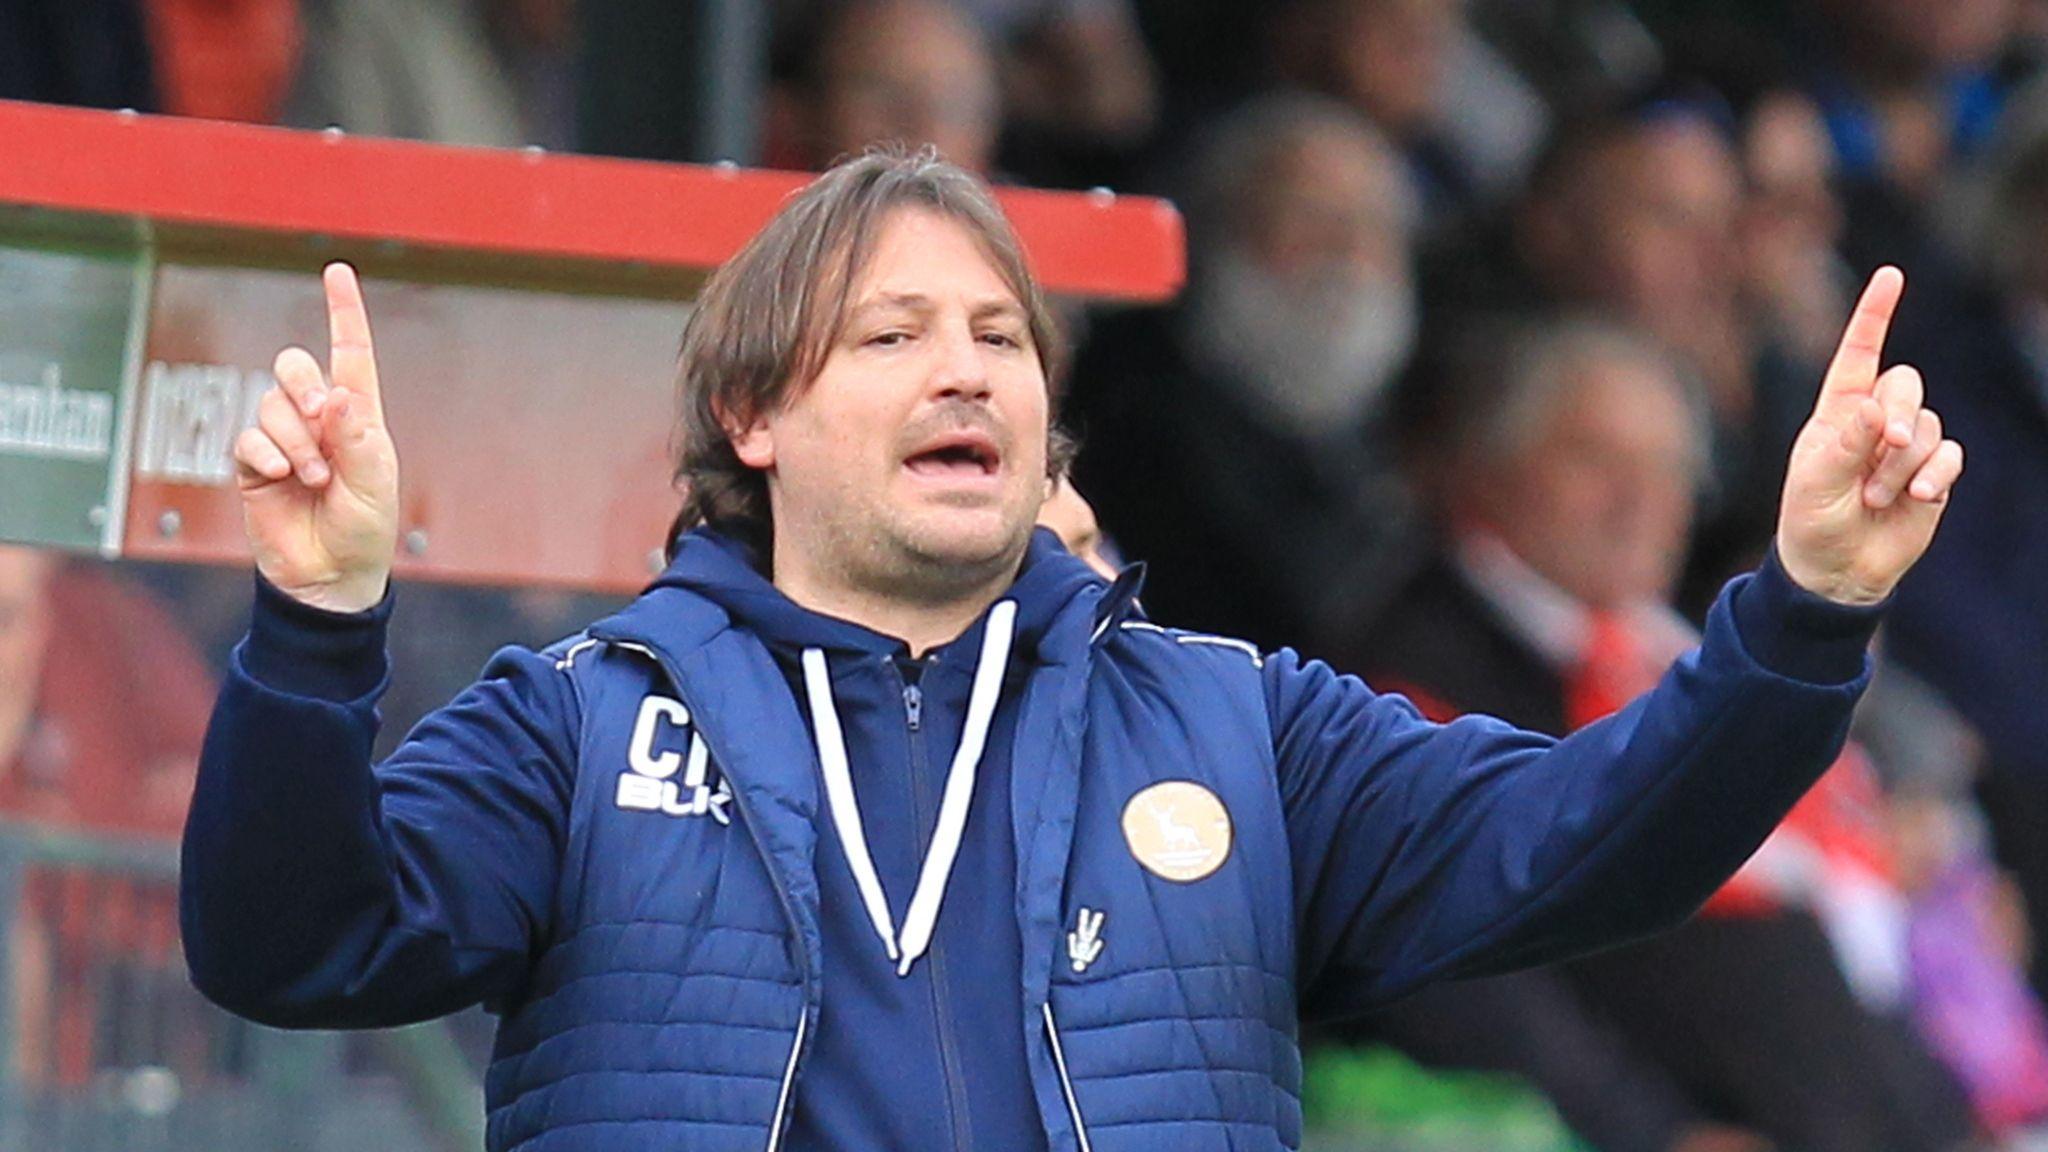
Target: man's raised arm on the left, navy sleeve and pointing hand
[{"x": 318, "y": 891}]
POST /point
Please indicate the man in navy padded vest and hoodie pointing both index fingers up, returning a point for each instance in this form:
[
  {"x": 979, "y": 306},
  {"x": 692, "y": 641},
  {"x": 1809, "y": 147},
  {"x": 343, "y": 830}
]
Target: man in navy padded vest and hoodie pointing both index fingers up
[{"x": 882, "y": 823}]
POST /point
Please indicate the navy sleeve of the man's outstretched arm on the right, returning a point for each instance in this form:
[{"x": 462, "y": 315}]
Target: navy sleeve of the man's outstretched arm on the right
[{"x": 1424, "y": 852}]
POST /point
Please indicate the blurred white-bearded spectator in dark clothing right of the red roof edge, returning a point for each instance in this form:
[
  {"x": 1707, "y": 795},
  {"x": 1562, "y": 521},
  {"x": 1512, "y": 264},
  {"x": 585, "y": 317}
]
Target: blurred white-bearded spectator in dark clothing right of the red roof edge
[{"x": 1234, "y": 442}]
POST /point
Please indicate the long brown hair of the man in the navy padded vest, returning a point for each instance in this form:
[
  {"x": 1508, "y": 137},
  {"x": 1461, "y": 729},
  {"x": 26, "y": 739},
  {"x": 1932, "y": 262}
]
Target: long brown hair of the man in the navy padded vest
[{"x": 767, "y": 319}]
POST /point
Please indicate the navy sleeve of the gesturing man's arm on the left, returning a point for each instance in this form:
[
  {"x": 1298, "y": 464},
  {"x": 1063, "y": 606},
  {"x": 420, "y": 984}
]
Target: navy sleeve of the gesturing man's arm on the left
[{"x": 323, "y": 893}]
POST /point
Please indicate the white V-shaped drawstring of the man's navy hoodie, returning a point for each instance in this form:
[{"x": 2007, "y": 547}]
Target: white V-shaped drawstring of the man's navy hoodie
[{"x": 923, "y": 915}]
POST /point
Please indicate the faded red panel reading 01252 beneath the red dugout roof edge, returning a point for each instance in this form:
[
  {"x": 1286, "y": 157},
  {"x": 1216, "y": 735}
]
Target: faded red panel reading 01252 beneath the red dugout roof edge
[{"x": 531, "y": 425}]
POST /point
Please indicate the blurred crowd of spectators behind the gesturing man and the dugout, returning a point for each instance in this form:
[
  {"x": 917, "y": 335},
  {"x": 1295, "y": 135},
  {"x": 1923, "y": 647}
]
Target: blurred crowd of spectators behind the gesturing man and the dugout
[{"x": 1502, "y": 319}]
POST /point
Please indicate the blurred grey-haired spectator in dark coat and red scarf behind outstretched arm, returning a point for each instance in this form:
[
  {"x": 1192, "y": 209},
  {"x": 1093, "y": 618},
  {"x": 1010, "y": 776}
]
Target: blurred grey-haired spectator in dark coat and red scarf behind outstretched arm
[{"x": 1566, "y": 479}]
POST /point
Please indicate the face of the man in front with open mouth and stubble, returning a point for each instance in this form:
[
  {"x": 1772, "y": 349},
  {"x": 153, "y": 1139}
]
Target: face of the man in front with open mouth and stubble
[{"x": 919, "y": 456}]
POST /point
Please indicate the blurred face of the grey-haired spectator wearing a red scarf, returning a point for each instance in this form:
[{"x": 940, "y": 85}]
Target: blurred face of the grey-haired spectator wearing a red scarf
[{"x": 1603, "y": 501}]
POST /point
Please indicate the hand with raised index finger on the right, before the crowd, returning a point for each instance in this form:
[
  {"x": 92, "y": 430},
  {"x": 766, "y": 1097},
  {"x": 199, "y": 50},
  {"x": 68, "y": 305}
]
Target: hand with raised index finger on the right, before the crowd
[{"x": 1871, "y": 470}]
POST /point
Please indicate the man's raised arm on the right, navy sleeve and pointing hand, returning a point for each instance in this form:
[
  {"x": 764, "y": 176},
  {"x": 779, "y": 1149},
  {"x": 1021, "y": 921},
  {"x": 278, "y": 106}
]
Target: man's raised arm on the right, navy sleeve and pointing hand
[{"x": 1428, "y": 852}]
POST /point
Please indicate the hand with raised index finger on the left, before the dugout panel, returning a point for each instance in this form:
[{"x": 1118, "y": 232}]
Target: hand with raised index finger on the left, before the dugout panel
[{"x": 318, "y": 472}]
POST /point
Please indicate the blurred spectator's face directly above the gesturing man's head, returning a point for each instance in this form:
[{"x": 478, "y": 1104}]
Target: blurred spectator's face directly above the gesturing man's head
[{"x": 912, "y": 73}]
